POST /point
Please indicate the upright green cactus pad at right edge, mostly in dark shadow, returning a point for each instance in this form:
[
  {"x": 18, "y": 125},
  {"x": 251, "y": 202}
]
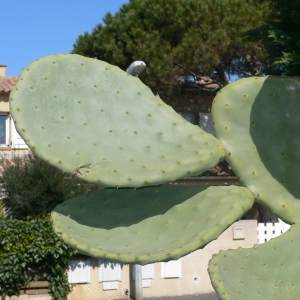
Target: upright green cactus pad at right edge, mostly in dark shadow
[{"x": 258, "y": 122}]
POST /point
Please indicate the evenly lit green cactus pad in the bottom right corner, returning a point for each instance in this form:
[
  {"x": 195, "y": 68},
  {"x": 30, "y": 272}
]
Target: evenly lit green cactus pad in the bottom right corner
[{"x": 267, "y": 271}]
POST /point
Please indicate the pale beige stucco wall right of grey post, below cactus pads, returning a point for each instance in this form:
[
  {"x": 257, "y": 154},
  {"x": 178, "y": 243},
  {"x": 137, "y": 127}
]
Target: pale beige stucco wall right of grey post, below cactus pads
[{"x": 195, "y": 279}]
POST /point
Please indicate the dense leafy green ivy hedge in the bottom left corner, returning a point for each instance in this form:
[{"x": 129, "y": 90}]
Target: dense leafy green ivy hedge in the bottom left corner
[{"x": 26, "y": 245}]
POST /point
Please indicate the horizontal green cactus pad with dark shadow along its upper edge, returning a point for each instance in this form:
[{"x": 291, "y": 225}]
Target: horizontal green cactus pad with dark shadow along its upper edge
[{"x": 148, "y": 224}]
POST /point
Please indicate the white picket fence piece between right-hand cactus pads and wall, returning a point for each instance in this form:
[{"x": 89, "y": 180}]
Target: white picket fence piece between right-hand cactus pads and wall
[{"x": 267, "y": 231}]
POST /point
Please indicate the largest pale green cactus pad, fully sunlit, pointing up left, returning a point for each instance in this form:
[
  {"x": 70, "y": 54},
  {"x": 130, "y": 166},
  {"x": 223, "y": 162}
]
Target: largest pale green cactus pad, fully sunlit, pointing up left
[{"x": 86, "y": 116}]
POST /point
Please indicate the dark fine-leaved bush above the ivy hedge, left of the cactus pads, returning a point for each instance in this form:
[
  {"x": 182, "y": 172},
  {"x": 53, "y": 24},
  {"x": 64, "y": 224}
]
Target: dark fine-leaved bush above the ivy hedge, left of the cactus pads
[{"x": 33, "y": 187}]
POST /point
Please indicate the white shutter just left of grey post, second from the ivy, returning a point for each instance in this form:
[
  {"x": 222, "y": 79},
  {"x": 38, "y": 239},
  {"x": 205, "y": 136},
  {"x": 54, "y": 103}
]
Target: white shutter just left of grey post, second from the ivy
[{"x": 109, "y": 274}]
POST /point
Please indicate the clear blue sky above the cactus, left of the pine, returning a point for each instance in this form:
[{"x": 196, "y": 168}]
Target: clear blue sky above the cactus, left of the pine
[{"x": 30, "y": 29}]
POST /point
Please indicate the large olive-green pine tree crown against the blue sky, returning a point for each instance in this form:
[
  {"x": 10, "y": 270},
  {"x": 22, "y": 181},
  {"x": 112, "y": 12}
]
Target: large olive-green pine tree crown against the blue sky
[{"x": 186, "y": 44}]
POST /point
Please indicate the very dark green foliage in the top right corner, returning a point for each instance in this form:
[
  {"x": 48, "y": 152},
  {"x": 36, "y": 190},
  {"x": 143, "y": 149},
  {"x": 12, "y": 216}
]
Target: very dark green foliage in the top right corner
[{"x": 280, "y": 36}]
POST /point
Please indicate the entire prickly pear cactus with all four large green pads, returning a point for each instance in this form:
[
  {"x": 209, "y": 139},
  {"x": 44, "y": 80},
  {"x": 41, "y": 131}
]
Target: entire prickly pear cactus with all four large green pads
[{"x": 90, "y": 118}]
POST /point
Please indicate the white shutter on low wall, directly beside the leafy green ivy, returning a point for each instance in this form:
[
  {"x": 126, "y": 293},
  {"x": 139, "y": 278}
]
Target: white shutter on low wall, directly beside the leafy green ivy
[{"x": 79, "y": 271}]
